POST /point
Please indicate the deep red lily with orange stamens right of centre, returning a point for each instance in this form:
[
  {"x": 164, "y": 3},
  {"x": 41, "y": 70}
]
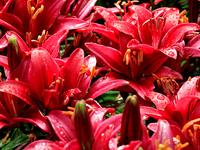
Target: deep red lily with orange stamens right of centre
[{"x": 132, "y": 67}]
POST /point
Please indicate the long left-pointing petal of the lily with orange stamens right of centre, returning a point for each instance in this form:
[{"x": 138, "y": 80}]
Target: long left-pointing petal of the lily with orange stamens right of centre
[{"x": 112, "y": 57}]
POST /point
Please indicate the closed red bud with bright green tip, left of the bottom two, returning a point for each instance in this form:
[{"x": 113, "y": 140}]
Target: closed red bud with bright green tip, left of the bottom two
[{"x": 83, "y": 126}]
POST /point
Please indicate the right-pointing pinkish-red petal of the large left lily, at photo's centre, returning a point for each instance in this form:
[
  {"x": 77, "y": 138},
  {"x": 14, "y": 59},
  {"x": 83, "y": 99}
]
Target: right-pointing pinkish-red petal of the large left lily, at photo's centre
[{"x": 102, "y": 85}]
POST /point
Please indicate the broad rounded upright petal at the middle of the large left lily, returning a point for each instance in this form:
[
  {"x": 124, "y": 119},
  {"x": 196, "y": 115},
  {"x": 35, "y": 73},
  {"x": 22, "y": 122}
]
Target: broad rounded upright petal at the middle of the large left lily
[{"x": 42, "y": 70}]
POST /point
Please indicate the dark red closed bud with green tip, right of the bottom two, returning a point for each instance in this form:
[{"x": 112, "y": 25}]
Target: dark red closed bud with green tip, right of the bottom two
[{"x": 131, "y": 129}]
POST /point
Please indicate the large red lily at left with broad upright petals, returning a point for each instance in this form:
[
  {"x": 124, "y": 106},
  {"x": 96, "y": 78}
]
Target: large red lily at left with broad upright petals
[{"x": 52, "y": 87}]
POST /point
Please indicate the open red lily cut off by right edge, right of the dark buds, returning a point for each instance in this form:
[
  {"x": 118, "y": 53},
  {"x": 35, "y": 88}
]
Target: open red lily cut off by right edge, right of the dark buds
[{"x": 176, "y": 109}]
